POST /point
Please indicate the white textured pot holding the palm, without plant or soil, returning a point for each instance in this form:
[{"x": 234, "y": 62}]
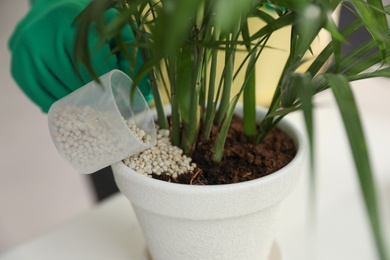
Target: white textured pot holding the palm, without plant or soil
[{"x": 232, "y": 221}]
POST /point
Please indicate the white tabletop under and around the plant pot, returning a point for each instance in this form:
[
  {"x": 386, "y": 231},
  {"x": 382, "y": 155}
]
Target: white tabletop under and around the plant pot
[{"x": 110, "y": 230}]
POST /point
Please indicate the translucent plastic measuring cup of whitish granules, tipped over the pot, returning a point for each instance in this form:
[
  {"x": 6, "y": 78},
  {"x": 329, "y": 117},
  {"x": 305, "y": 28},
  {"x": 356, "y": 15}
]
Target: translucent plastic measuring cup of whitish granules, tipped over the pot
[{"x": 101, "y": 124}]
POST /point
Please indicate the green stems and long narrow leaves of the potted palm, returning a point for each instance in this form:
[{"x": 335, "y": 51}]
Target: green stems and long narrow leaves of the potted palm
[{"x": 181, "y": 42}]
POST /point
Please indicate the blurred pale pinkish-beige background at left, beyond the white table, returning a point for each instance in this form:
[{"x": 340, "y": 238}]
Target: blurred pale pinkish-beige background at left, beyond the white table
[{"x": 38, "y": 190}]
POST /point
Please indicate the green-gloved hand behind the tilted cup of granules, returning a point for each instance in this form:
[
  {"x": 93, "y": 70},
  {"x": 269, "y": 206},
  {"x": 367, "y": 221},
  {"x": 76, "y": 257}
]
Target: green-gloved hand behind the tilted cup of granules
[{"x": 42, "y": 52}]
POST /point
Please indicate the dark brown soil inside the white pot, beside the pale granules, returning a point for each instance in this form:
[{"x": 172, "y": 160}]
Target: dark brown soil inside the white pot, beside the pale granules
[{"x": 242, "y": 160}]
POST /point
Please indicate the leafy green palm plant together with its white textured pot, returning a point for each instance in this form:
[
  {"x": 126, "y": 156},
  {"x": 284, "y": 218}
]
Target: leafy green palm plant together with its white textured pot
[{"x": 180, "y": 42}]
